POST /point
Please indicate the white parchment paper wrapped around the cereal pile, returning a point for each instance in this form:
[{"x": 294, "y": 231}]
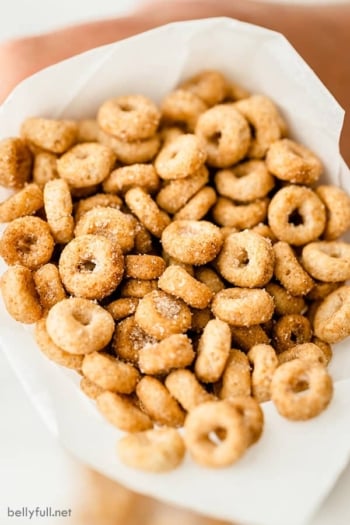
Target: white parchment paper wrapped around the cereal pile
[{"x": 283, "y": 479}]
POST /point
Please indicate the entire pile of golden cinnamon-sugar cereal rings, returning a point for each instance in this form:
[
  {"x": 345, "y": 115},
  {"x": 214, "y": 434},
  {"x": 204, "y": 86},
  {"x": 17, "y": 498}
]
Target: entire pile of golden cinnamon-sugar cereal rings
[{"x": 183, "y": 262}]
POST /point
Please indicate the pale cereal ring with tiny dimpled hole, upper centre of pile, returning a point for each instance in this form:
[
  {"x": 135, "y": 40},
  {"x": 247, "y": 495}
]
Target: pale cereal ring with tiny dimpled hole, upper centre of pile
[{"x": 181, "y": 157}]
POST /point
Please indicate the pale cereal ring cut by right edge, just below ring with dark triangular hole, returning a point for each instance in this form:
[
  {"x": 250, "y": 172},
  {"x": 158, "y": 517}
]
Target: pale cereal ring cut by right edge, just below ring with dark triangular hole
[{"x": 327, "y": 261}]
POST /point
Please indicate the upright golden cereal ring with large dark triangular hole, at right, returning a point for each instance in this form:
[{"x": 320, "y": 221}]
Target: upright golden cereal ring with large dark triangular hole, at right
[{"x": 296, "y": 215}]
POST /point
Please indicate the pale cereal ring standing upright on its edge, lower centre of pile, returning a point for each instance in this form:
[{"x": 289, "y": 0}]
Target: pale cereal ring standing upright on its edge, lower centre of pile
[{"x": 213, "y": 351}]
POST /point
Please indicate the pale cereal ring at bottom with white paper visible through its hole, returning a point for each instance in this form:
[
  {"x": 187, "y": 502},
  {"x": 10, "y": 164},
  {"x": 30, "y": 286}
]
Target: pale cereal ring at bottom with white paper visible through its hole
[{"x": 209, "y": 418}]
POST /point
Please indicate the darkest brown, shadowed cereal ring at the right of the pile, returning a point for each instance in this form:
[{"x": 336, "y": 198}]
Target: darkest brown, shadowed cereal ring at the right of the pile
[{"x": 291, "y": 330}]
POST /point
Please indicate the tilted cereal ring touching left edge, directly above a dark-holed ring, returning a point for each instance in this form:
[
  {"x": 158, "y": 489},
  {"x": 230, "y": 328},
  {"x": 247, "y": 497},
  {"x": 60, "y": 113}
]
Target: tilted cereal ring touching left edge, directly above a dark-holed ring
[{"x": 26, "y": 202}]
